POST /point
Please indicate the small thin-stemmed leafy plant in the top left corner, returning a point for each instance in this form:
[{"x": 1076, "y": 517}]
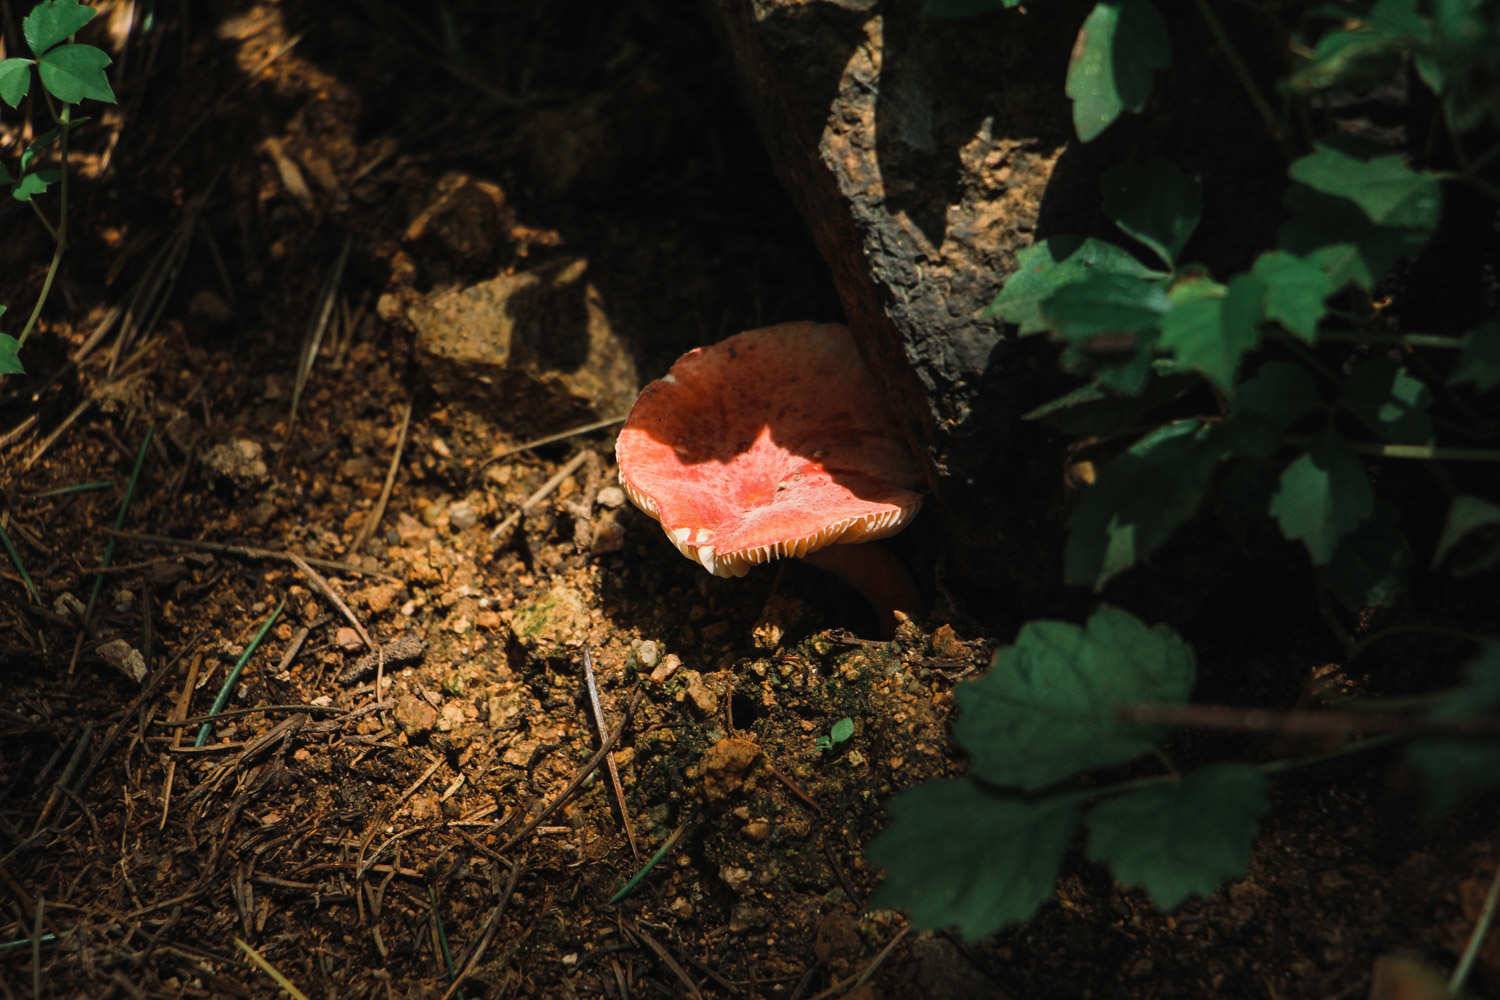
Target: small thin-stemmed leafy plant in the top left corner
[{"x": 70, "y": 73}]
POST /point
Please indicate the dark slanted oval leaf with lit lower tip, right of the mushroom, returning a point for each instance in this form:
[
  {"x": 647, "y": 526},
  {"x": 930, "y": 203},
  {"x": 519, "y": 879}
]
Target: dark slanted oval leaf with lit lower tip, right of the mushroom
[{"x": 1141, "y": 500}]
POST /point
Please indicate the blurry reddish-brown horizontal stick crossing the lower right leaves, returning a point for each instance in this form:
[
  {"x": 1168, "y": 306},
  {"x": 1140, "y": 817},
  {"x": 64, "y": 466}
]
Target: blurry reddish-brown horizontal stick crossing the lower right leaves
[{"x": 1232, "y": 719}]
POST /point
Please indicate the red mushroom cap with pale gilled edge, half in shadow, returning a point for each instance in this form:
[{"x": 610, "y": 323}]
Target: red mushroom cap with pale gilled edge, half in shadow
[{"x": 770, "y": 445}]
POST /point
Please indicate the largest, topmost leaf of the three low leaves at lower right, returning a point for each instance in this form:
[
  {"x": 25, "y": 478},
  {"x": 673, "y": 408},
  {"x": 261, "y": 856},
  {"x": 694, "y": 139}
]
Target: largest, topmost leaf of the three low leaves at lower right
[{"x": 1046, "y": 708}]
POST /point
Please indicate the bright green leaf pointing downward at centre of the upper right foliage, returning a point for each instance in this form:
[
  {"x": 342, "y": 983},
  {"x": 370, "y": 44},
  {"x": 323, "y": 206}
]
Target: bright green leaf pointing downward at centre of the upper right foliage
[{"x": 1211, "y": 335}]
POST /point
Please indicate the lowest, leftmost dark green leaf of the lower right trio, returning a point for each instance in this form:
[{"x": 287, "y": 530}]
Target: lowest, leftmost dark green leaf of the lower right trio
[{"x": 958, "y": 855}]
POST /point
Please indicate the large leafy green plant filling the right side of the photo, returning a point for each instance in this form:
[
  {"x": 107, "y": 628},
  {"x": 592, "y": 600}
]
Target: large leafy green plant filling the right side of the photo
[{"x": 1276, "y": 389}]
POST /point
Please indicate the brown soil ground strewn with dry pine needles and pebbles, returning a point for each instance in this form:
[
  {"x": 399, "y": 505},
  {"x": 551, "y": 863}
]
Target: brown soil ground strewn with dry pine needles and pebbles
[{"x": 374, "y": 825}]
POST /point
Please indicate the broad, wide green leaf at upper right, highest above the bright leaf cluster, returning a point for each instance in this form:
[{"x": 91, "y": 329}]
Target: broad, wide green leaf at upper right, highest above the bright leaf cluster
[{"x": 1390, "y": 193}]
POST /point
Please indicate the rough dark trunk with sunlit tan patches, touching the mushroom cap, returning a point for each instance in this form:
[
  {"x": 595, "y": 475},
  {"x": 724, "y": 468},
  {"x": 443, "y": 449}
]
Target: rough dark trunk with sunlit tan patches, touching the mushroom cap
[{"x": 922, "y": 154}]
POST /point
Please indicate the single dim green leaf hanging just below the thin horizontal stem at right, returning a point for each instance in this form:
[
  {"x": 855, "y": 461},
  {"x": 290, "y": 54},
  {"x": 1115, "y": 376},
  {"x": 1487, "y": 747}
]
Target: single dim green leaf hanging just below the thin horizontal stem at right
[{"x": 1322, "y": 497}]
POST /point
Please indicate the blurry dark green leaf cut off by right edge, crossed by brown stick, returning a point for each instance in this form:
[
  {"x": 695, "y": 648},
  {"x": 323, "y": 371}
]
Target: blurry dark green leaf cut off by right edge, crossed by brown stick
[{"x": 1457, "y": 768}]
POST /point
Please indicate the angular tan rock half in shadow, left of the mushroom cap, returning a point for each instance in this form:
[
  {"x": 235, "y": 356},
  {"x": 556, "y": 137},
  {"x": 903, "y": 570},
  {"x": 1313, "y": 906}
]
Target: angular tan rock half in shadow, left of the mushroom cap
[{"x": 538, "y": 344}]
